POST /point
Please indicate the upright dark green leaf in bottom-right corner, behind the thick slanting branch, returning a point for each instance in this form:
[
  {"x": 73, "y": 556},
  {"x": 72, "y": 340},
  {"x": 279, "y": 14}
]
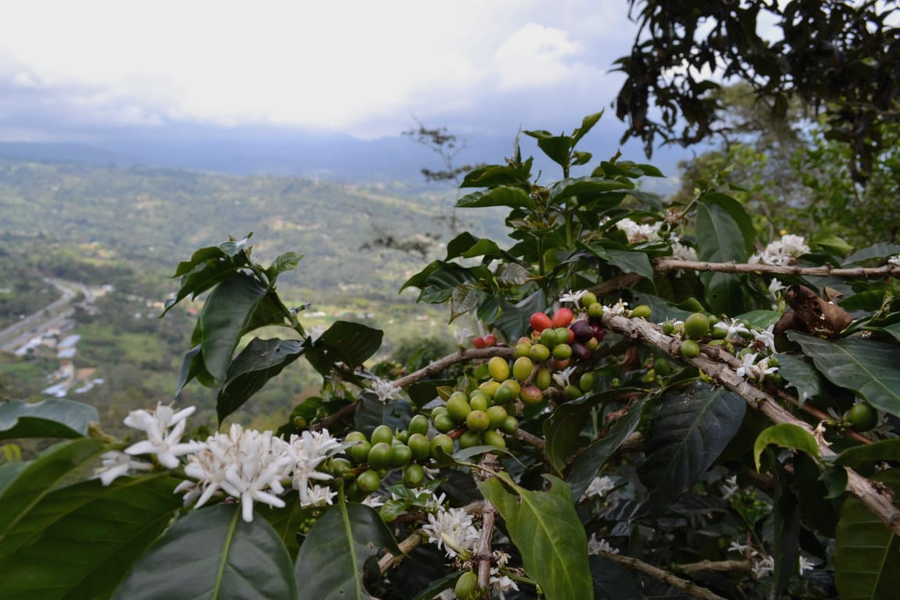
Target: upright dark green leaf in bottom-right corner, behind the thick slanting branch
[{"x": 866, "y": 551}]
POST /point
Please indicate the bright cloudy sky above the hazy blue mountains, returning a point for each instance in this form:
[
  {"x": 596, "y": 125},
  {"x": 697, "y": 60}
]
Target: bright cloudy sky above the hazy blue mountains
[{"x": 362, "y": 67}]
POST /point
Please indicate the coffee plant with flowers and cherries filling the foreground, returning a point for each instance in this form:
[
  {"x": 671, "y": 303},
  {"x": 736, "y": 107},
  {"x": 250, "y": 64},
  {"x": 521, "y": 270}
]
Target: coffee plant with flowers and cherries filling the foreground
[{"x": 664, "y": 404}]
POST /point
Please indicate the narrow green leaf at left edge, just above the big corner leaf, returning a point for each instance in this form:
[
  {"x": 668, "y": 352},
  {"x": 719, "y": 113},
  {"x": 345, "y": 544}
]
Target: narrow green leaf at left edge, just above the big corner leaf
[{"x": 24, "y": 494}]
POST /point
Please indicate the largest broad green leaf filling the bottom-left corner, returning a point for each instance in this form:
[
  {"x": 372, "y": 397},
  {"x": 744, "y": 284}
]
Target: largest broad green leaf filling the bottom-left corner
[{"x": 80, "y": 540}]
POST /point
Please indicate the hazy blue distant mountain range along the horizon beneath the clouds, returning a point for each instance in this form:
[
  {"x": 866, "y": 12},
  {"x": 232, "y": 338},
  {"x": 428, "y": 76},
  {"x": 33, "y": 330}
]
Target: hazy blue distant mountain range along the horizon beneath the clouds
[{"x": 261, "y": 150}]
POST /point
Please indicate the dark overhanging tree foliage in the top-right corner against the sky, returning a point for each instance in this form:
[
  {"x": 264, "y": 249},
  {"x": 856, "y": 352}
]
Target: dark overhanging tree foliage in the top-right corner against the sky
[{"x": 838, "y": 57}]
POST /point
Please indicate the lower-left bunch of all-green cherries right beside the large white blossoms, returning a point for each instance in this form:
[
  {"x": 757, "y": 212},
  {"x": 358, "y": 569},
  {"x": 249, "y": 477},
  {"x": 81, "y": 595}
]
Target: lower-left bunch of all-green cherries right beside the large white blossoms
[{"x": 371, "y": 458}]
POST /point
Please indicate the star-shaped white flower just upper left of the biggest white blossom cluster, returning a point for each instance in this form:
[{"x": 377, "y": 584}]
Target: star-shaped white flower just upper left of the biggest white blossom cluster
[{"x": 162, "y": 441}]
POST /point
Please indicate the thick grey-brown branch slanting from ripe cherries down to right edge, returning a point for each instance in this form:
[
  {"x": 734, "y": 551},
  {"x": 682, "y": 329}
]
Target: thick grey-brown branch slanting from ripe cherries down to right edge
[{"x": 877, "y": 498}]
